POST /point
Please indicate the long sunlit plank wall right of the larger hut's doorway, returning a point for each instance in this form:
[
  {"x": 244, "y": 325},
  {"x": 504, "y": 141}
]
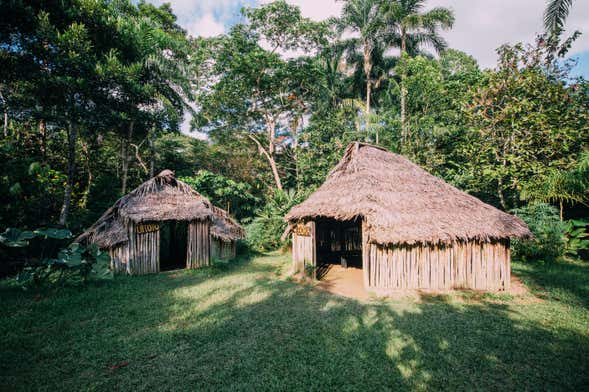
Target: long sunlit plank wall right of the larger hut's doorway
[{"x": 472, "y": 265}]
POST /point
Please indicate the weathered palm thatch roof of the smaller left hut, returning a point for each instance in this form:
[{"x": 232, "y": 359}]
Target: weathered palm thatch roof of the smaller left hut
[{"x": 161, "y": 198}]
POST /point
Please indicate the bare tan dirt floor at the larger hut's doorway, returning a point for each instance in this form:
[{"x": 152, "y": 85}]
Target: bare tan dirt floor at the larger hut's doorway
[{"x": 347, "y": 282}]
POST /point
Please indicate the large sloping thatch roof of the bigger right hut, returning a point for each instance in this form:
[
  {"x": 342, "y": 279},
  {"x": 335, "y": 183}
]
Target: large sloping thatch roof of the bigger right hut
[{"x": 402, "y": 203}]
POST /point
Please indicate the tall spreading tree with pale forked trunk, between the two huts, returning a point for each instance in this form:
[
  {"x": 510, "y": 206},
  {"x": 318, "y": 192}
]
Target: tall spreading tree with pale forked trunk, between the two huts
[{"x": 257, "y": 92}]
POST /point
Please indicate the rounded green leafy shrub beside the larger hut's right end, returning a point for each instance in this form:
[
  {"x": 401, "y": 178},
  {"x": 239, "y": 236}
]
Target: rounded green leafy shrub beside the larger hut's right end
[{"x": 549, "y": 232}]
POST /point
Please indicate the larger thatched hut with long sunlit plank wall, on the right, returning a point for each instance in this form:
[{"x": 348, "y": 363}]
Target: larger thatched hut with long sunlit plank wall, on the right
[{"x": 405, "y": 228}]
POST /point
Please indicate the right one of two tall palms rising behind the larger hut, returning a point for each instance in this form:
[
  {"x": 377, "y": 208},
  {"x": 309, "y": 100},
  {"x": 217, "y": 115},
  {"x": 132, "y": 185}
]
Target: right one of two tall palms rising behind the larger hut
[{"x": 415, "y": 29}]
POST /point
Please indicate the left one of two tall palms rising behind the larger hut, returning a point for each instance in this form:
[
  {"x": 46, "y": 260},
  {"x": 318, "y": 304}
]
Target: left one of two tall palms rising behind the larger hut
[{"x": 365, "y": 18}]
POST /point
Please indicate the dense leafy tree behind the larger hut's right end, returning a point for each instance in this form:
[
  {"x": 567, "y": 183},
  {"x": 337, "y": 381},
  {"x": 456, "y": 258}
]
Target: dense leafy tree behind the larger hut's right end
[{"x": 526, "y": 117}]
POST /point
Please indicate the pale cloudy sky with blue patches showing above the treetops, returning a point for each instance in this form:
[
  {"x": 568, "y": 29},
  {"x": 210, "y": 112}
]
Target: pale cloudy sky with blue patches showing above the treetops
[{"x": 480, "y": 27}]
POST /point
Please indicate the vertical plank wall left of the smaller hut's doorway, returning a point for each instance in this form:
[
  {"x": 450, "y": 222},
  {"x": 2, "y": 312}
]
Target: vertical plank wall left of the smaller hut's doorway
[{"x": 144, "y": 252}]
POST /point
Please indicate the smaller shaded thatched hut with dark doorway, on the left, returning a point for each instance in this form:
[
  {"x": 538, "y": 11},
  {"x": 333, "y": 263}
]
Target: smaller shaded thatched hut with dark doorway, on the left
[{"x": 163, "y": 224}]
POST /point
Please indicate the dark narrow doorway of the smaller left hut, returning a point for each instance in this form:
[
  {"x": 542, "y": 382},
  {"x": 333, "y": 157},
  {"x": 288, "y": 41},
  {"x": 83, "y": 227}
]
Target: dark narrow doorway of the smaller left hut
[{"x": 173, "y": 245}]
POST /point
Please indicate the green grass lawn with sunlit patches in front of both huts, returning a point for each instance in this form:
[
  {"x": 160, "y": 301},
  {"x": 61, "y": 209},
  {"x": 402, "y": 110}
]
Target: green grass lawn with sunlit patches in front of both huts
[{"x": 243, "y": 326}]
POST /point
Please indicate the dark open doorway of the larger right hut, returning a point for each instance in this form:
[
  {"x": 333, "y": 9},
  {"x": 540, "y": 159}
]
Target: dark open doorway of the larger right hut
[{"x": 339, "y": 243}]
